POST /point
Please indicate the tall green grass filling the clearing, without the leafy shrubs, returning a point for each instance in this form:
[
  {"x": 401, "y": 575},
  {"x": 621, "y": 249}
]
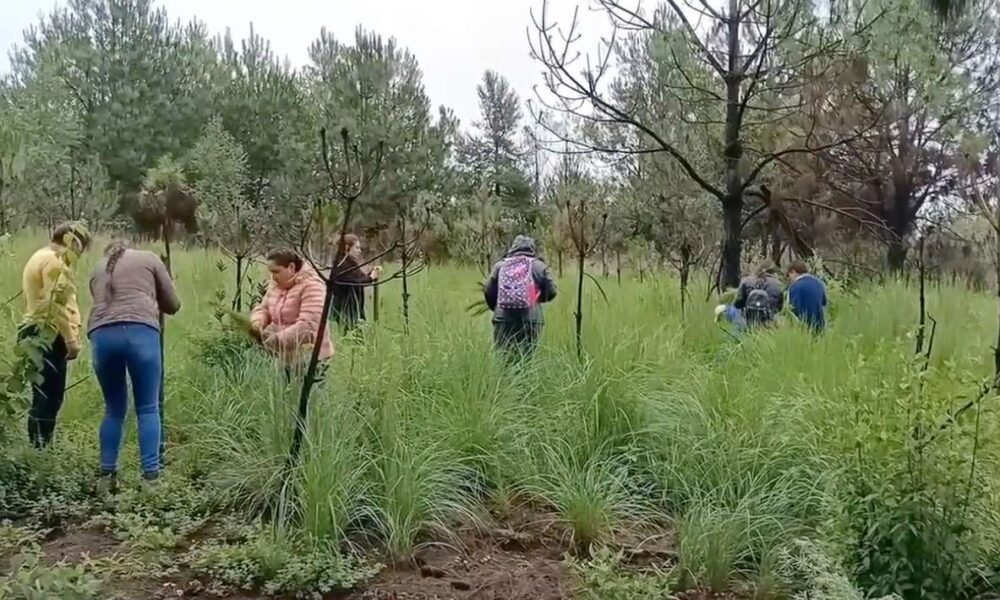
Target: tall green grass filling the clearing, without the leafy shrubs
[{"x": 740, "y": 448}]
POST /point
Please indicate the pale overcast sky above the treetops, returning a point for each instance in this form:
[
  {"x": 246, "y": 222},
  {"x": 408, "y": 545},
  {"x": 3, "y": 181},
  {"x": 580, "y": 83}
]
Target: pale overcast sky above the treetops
[{"x": 454, "y": 40}]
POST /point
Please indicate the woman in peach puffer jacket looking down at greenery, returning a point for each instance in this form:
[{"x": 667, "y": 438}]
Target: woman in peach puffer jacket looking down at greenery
[{"x": 289, "y": 315}]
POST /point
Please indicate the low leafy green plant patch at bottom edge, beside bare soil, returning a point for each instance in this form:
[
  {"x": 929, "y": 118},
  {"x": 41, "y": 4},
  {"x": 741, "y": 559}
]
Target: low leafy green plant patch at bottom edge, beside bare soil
[{"x": 605, "y": 576}]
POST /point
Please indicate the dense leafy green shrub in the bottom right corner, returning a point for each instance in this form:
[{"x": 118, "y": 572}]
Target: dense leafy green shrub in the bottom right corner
[{"x": 908, "y": 526}]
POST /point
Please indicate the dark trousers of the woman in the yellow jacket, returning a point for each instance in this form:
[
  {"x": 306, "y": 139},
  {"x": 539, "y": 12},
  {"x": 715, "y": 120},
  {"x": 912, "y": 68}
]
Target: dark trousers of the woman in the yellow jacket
[{"x": 48, "y": 392}]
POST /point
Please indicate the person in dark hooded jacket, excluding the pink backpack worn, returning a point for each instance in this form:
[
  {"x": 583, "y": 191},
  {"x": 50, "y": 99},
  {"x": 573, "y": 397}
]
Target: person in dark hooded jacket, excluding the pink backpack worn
[{"x": 518, "y": 329}]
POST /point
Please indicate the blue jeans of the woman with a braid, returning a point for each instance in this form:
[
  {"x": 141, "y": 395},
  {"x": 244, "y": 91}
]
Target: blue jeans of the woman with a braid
[{"x": 134, "y": 349}]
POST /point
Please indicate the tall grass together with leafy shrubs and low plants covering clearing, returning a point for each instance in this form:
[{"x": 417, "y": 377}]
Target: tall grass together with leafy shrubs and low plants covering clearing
[{"x": 740, "y": 450}]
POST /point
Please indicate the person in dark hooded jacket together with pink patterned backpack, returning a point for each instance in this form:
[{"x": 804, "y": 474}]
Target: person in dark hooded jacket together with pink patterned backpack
[{"x": 515, "y": 292}]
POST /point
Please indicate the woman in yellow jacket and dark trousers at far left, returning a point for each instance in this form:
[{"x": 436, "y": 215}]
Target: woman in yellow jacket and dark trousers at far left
[{"x": 52, "y": 323}]
